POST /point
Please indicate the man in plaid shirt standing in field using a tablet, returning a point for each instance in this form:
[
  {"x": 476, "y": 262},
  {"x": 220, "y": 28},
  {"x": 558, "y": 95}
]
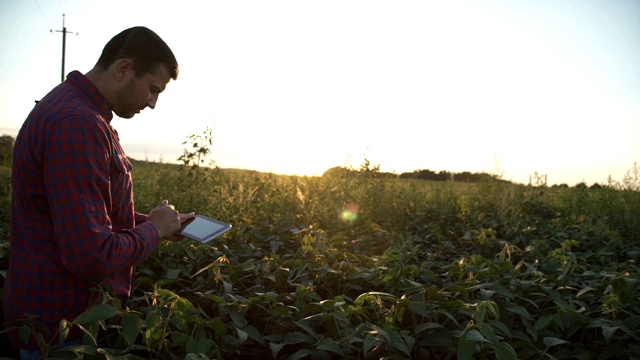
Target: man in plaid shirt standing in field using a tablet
[{"x": 73, "y": 223}]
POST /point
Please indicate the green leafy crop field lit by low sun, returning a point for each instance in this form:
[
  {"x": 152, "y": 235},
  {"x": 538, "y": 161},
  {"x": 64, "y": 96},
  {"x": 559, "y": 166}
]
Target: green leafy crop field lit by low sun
[{"x": 355, "y": 266}]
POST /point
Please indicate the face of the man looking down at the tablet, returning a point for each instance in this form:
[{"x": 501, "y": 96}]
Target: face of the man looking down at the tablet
[{"x": 138, "y": 93}]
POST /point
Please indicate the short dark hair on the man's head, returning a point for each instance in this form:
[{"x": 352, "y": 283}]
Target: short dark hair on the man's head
[{"x": 144, "y": 47}]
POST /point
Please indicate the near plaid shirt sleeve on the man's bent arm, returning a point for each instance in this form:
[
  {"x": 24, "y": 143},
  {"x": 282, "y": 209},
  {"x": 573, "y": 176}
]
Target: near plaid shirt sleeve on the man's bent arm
[{"x": 76, "y": 169}]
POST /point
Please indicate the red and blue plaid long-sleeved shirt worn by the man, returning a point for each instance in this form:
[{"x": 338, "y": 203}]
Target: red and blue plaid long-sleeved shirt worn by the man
[{"x": 73, "y": 223}]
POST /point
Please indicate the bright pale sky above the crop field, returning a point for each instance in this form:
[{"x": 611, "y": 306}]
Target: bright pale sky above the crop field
[{"x": 514, "y": 87}]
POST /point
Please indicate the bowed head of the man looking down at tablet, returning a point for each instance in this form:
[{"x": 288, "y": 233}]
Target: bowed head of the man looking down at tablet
[{"x": 134, "y": 68}]
